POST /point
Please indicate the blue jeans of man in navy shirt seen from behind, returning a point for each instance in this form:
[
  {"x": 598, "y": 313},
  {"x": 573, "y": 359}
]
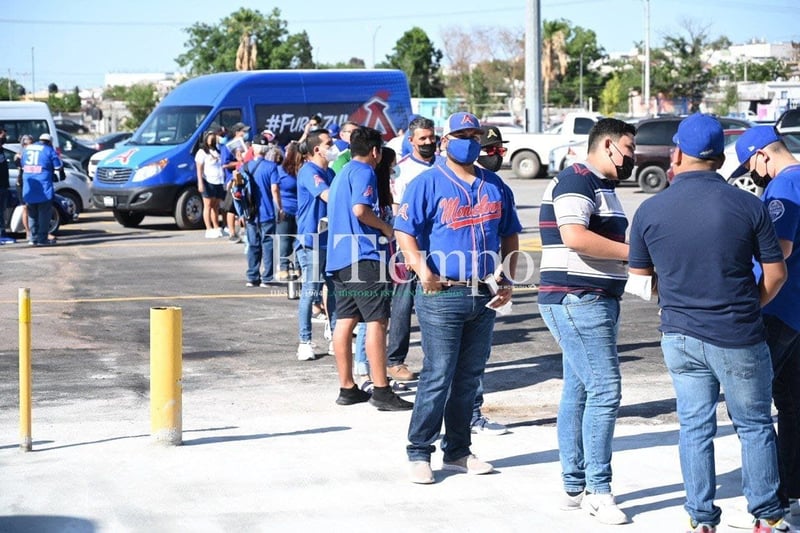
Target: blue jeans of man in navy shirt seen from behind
[{"x": 698, "y": 369}]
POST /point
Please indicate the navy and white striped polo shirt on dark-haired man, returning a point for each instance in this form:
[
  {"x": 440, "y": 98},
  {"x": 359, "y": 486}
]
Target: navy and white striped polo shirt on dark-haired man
[{"x": 578, "y": 196}]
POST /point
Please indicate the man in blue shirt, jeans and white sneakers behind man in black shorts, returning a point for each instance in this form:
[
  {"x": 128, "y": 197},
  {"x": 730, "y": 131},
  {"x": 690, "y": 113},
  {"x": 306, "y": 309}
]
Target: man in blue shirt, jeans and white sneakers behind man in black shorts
[{"x": 313, "y": 184}]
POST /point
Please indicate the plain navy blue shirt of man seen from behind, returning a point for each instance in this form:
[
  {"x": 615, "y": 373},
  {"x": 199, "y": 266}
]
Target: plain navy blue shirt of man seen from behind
[{"x": 701, "y": 235}]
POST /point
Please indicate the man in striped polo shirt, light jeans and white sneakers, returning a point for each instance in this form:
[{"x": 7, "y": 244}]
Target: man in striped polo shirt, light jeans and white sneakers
[{"x": 583, "y": 275}]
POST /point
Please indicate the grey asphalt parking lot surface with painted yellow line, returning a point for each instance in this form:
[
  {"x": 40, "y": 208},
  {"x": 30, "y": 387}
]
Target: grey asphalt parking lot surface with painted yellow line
[{"x": 92, "y": 294}]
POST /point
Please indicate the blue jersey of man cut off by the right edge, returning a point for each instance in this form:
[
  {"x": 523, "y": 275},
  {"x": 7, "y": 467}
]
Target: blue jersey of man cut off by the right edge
[{"x": 782, "y": 198}]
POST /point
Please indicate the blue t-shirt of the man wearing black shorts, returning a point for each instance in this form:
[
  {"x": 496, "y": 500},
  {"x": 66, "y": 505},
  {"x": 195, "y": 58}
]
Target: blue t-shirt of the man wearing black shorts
[{"x": 349, "y": 240}]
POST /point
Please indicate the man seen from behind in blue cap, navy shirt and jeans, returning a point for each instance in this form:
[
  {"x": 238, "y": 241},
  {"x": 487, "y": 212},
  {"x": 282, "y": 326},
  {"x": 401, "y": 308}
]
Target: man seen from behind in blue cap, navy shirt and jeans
[{"x": 700, "y": 235}]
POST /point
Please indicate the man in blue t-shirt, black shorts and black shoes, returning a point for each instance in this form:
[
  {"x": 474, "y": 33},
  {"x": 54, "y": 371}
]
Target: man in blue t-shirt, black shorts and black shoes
[{"x": 357, "y": 262}]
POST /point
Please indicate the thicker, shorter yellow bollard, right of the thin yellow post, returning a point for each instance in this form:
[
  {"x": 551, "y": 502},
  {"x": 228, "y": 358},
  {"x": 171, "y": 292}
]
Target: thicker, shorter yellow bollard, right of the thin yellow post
[{"x": 166, "y": 368}]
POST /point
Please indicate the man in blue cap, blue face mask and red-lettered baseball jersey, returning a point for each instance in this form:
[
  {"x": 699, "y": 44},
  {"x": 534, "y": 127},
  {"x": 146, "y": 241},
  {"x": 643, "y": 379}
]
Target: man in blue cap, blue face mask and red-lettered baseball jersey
[{"x": 457, "y": 226}]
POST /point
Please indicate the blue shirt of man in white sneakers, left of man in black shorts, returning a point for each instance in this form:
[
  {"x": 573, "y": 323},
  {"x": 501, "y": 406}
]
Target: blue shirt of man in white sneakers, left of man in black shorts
[{"x": 312, "y": 181}]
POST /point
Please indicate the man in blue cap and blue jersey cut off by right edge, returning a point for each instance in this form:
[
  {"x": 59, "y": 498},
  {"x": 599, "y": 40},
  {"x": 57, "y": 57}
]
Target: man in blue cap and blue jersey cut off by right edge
[{"x": 762, "y": 152}]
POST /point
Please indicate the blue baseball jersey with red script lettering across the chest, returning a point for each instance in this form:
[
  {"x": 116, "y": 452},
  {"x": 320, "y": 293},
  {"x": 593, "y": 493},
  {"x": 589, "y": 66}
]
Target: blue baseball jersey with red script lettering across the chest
[{"x": 458, "y": 226}]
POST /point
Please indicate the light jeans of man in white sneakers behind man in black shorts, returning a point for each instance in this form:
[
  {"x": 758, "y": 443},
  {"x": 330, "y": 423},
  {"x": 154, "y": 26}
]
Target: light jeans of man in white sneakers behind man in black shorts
[{"x": 312, "y": 264}]
